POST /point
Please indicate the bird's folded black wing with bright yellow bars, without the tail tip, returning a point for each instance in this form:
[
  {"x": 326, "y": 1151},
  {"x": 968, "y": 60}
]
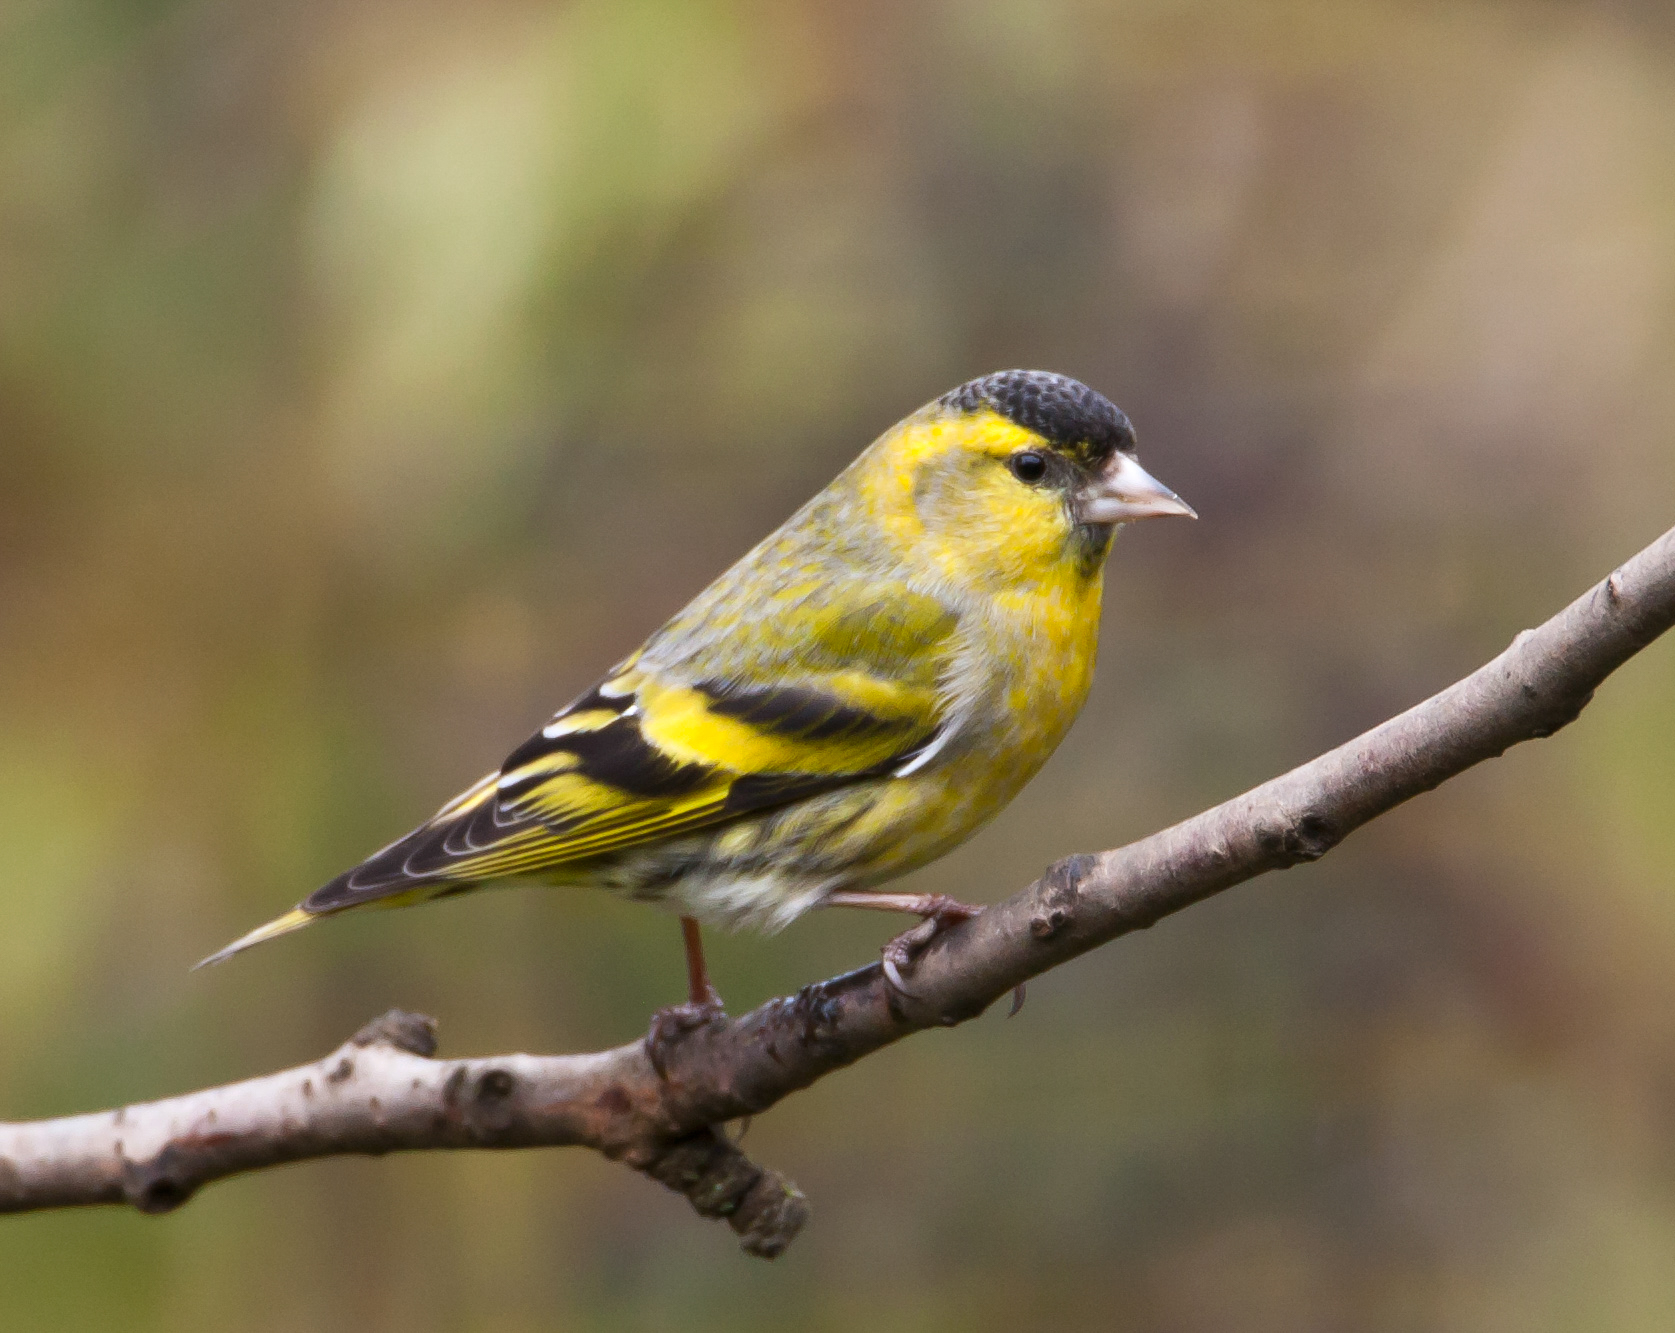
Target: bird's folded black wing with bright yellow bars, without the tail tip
[{"x": 644, "y": 756}]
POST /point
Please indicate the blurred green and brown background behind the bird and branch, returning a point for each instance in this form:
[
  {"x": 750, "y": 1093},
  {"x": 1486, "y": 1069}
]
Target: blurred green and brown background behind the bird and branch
[{"x": 374, "y": 374}]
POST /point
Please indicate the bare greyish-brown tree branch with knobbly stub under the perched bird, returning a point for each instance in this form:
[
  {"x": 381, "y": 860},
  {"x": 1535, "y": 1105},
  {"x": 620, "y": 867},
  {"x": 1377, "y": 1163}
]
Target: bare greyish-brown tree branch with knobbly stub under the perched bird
[{"x": 384, "y": 1091}]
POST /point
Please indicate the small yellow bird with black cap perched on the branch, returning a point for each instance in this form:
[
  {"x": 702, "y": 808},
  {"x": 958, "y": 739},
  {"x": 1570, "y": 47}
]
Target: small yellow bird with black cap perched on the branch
[{"x": 853, "y": 699}]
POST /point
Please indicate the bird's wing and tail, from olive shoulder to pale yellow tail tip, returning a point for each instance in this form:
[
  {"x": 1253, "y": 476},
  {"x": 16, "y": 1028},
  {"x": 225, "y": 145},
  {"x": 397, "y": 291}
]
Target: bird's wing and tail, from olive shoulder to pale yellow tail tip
[{"x": 664, "y": 748}]
